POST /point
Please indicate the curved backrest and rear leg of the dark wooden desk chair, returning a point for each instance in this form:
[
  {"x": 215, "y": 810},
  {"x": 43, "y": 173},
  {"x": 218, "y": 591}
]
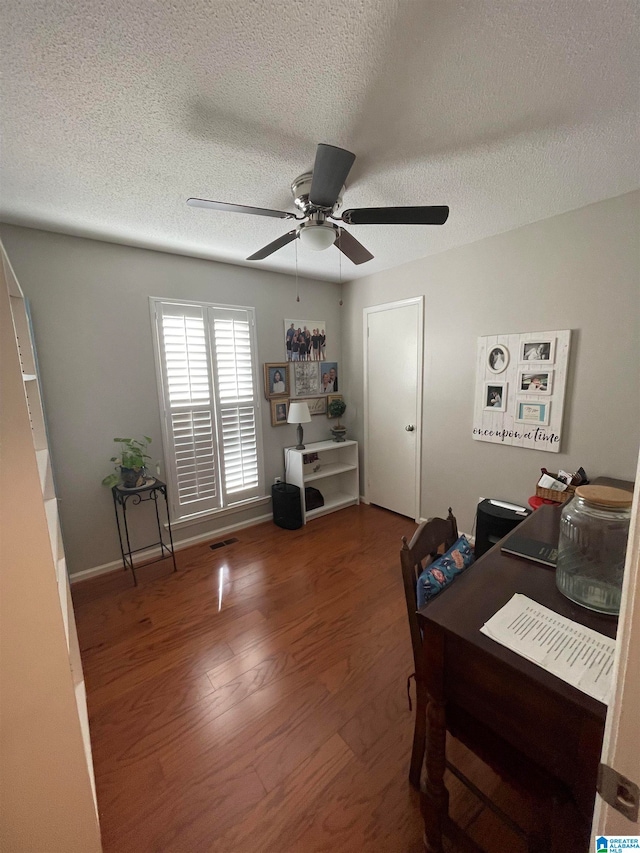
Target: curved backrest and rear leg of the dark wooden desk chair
[{"x": 432, "y": 537}]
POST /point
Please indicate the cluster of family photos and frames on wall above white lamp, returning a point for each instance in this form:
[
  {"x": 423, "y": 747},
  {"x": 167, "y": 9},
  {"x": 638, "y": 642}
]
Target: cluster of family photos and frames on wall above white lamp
[{"x": 306, "y": 375}]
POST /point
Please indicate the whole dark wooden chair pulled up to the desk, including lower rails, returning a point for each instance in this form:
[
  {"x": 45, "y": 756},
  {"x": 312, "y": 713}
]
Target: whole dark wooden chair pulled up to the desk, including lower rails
[{"x": 434, "y": 537}]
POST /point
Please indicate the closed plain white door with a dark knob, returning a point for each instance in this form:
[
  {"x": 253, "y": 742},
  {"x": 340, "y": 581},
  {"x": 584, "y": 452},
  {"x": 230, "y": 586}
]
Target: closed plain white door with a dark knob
[{"x": 393, "y": 336}]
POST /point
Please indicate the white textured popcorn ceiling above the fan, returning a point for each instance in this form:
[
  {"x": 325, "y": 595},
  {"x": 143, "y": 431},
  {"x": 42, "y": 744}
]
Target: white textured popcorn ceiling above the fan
[{"x": 510, "y": 111}]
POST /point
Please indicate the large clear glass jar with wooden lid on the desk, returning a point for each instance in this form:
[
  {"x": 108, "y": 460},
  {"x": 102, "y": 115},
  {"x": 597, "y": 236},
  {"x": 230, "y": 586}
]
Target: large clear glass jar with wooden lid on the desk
[{"x": 594, "y": 528}]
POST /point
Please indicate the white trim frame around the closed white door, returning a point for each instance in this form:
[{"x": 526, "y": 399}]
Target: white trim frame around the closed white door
[{"x": 374, "y": 309}]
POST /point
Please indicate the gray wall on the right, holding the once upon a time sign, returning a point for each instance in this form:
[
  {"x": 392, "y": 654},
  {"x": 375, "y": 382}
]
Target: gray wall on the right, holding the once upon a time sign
[{"x": 578, "y": 271}]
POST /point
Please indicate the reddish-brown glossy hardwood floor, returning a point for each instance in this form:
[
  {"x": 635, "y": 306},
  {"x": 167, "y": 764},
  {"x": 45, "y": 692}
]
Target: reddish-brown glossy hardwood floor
[{"x": 256, "y": 699}]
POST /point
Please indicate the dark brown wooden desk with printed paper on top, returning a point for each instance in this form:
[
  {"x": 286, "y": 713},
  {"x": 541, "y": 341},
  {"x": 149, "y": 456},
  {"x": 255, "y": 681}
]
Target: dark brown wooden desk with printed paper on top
[{"x": 556, "y": 726}]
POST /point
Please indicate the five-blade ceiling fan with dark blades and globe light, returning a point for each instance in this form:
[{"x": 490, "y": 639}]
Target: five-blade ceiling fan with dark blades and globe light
[{"x": 318, "y": 196}]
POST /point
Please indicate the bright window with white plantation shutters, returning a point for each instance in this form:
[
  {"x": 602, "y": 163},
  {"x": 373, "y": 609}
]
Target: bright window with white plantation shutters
[{"x": 205, "y": 358}]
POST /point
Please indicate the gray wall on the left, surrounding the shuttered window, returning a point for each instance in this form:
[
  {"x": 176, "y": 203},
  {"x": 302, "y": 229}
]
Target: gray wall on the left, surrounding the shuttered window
[{"x": 90, "y": 310}]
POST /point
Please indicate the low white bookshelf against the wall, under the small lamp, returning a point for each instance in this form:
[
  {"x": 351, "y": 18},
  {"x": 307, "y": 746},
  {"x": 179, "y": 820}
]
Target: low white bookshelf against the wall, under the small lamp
[{"x": 334, "y": 473}]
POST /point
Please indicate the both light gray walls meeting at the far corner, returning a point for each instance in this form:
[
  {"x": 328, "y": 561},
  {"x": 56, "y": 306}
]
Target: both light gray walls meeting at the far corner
[{"x": 579, "y": 271}]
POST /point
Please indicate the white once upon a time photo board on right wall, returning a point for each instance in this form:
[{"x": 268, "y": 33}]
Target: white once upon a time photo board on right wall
[{"x": 520, "y": 385}]
